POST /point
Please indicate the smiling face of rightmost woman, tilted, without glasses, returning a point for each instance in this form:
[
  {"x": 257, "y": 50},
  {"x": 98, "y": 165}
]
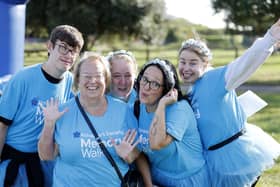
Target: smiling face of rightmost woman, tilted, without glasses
[{"x": 190, "y": 66}]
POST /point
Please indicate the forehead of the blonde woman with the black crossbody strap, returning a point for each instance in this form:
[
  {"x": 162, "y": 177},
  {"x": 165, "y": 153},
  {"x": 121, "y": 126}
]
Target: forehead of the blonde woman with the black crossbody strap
[{"x": 92, "y": 66}]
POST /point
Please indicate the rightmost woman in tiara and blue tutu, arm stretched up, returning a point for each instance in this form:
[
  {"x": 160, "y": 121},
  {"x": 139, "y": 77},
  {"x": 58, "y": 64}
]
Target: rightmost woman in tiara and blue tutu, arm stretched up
[{"x": 236, "y": 153}]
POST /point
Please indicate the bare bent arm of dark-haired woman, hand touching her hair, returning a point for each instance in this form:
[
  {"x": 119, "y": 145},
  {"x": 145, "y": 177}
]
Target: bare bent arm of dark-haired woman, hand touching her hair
[{"x": 158, "y": 136}]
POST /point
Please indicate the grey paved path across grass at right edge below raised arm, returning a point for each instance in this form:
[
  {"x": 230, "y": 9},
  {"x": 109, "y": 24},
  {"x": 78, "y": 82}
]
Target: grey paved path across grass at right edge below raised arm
[{"x": 260, "y": 88}]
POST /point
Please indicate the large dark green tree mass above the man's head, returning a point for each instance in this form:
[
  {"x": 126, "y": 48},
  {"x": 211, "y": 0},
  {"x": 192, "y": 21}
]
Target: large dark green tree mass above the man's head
[{"x": 94, "y": 18}]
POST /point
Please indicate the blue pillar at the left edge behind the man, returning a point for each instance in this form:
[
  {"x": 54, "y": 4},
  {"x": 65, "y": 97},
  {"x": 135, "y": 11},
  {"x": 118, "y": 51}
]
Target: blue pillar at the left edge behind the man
[{"x": 12, "y": 33}]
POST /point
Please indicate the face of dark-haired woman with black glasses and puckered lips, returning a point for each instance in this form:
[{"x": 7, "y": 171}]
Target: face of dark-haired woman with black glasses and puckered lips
[{"x": 151, "y": 87}]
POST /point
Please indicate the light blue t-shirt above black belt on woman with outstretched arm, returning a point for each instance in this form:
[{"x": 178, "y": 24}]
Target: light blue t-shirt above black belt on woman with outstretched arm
[{"x": 218, "y": 113}]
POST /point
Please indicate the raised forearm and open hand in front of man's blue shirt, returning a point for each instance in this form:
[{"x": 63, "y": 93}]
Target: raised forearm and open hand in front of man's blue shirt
[{"x": 46, "y": 146}]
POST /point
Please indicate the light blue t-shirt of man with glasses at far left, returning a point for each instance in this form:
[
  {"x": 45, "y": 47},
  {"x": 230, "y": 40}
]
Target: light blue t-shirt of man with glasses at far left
[{"x": 20, "y": 103}]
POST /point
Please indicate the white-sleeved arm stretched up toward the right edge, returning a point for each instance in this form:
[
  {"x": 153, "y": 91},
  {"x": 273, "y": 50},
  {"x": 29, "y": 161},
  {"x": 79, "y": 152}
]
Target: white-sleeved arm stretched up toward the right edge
[{"x": 243, "y": 67}]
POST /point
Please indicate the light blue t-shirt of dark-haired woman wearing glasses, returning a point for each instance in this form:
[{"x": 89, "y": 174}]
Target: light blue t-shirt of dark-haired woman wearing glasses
[{"x": 183, "y": 156}]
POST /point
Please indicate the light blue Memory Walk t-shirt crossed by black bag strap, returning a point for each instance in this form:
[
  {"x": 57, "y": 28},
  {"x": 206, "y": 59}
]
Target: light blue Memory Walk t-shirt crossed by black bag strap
[{"x": 81, "y": 162}]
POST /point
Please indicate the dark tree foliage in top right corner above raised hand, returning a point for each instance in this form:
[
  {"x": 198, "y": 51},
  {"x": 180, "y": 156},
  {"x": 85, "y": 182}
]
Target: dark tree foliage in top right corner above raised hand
[{"x": 251, "y": 17}]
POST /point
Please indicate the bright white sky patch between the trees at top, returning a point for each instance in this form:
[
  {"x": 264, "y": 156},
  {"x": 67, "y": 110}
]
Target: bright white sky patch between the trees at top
[{"x": 195, "y": 11}]
